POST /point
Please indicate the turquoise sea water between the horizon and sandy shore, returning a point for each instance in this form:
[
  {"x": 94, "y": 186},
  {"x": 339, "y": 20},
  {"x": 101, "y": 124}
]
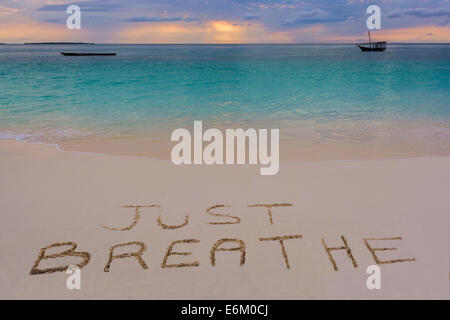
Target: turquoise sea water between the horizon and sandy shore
[{"x": 312, "y": 92}]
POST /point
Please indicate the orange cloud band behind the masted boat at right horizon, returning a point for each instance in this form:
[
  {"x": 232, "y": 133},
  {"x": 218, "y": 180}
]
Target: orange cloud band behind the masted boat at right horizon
[{"x": 414, "y": 34}]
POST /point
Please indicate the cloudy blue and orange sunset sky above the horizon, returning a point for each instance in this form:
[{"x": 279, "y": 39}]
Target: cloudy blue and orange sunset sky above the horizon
[{"x": 224, "y": 21}]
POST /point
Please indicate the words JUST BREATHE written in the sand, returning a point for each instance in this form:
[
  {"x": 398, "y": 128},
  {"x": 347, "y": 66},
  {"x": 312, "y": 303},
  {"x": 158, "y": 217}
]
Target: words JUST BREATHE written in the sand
[{"x": 135, "y": 250}]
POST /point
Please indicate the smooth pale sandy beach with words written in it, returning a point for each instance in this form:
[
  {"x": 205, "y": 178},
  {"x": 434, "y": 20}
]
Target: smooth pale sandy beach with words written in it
[{"x": 52, "y": 197}]
